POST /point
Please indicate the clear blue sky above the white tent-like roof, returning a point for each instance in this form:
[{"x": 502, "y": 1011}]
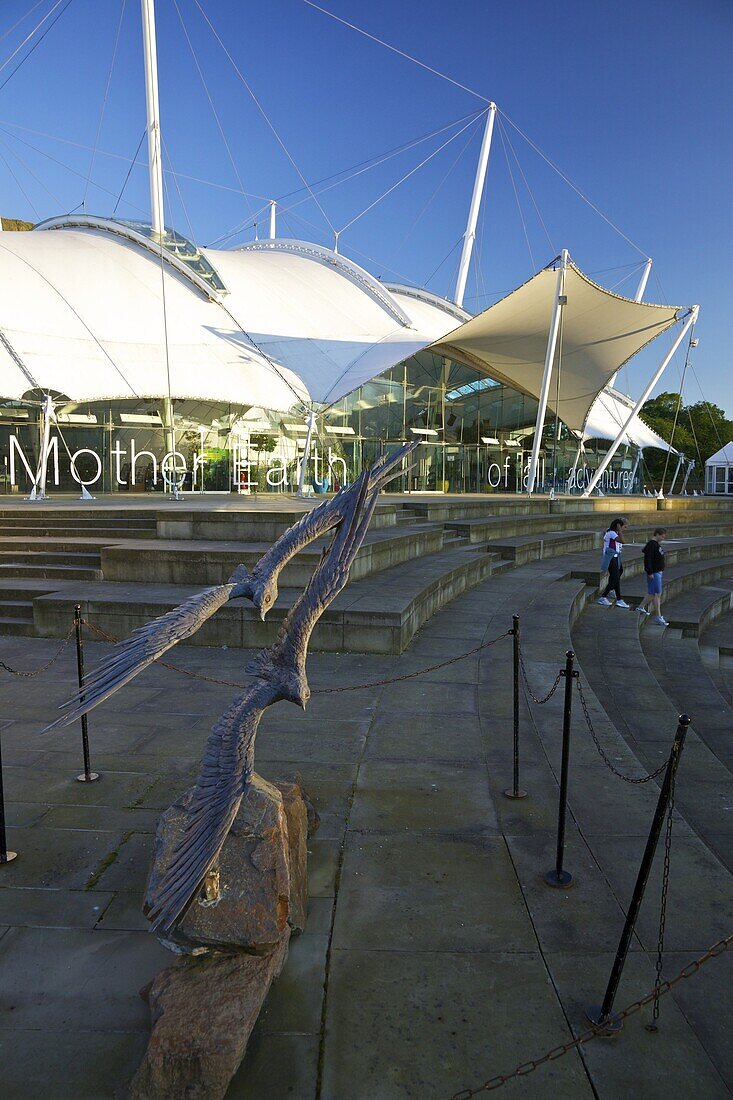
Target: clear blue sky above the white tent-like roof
[{"x": 630, "y": 98}]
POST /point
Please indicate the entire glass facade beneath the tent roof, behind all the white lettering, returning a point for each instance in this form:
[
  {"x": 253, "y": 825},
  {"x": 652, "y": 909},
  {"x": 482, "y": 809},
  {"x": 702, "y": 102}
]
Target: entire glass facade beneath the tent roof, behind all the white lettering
[{"x": 477, "y": 438}]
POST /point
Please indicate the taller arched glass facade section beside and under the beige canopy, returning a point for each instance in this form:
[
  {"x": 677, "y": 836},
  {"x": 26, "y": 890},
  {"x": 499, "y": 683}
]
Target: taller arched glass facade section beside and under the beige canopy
[{"x": 477, "y": 434}]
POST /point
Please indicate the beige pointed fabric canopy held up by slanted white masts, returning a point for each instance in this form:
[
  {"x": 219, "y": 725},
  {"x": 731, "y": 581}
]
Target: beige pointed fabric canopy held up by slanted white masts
[{"x": 600, "y": 333}]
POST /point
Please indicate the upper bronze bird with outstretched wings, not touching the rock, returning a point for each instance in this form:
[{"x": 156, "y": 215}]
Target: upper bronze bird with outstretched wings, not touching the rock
[{"x": 149, "y": 643}]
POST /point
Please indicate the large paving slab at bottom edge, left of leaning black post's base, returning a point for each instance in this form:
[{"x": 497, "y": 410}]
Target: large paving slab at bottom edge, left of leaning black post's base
[{"x": 409, "y": 1036}]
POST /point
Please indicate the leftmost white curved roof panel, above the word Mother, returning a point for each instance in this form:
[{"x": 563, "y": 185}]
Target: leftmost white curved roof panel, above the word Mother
[{"x": 83, "y": 310}]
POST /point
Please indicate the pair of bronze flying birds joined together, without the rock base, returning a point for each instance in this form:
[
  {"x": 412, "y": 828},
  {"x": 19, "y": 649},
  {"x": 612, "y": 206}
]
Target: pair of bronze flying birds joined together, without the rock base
[{"x": 279, "y": 674}]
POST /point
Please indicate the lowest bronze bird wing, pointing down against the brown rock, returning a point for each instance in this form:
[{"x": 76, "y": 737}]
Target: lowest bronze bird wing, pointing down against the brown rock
[{"x": 225, "y": 772}]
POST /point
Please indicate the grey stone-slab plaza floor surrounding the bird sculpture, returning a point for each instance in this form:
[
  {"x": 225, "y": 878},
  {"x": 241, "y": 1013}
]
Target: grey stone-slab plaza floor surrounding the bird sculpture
[{"x": 435, "y": 956}]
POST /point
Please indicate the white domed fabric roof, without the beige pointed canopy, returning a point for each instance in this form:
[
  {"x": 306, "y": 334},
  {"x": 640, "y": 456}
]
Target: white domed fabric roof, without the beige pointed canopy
[{"x": 83, "y": 310}]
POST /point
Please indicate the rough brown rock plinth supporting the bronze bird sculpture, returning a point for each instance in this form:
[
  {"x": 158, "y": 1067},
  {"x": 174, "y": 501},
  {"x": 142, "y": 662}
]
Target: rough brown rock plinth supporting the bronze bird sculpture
[{"x": 234, "y": 942}]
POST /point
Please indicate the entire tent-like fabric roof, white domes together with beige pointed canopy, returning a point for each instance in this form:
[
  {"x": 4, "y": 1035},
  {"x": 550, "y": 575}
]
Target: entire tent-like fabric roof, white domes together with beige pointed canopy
[{"x": 85, "y": 311}]
